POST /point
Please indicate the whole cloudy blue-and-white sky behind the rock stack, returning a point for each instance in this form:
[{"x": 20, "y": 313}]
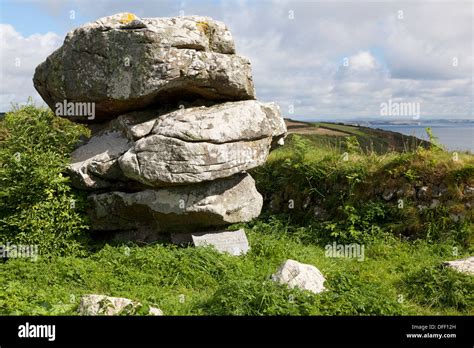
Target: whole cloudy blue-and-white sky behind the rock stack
[{"x": 319, "y": 60}]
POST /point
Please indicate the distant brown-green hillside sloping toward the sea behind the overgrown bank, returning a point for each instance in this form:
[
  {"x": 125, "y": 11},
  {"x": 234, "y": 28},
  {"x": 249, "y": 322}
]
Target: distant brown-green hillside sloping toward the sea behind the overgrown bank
[{"x": 378, "y": 140}]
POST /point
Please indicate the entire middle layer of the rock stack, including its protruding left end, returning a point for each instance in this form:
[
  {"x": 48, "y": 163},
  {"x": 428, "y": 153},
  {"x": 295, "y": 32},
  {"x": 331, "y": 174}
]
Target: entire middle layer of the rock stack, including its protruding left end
[{"x": 185, "y": 146}]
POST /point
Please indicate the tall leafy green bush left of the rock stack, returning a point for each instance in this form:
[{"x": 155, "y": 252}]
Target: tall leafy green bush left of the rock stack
[{"x": 37, "y": 206}]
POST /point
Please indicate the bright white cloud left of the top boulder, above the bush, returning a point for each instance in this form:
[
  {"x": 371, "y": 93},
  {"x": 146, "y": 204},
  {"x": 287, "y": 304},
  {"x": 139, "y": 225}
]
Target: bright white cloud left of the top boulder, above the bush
[{"x": 19, "y": 58}]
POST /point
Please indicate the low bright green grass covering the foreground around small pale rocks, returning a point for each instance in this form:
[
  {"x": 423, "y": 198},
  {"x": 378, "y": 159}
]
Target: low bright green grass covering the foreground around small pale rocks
[{"x": 200, "y": 281}]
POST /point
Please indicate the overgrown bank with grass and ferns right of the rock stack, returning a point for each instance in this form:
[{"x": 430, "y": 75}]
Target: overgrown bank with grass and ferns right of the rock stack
[{"x": 348, "y": 187}]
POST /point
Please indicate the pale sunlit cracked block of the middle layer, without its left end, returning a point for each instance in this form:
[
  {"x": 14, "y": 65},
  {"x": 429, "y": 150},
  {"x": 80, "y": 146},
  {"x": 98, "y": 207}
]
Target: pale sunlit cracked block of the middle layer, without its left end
[{"x": 202, "y": 144}]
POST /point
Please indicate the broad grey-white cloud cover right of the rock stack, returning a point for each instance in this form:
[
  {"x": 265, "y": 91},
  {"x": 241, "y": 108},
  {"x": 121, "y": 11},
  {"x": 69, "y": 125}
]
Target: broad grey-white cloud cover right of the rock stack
[{"x": 300, "y": 62}]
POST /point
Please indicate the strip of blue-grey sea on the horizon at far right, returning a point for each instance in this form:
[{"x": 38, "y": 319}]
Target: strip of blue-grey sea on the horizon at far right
[{"x": 454, "y": 136}]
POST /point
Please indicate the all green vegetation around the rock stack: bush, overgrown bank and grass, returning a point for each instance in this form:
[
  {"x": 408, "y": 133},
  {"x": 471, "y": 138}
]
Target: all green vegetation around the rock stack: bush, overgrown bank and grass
[{"x": 315, "y": 194}]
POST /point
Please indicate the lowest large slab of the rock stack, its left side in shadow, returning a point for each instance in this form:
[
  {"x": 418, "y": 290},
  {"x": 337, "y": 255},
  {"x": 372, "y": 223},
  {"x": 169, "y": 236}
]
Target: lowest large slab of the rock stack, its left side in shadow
[{"x": 177, "y": 209}]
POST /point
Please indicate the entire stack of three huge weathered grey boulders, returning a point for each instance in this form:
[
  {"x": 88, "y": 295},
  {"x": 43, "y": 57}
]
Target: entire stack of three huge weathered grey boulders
[{"x": 176, "y": 124}]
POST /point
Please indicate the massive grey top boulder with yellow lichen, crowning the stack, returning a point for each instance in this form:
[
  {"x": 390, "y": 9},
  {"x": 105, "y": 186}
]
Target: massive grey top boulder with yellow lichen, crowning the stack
[{"x": 124, "y": 63}]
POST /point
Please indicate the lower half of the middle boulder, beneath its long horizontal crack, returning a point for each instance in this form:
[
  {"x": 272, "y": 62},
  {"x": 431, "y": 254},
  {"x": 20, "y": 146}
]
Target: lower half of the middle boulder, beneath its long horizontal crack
[{"x": 160, "y": 161}]
